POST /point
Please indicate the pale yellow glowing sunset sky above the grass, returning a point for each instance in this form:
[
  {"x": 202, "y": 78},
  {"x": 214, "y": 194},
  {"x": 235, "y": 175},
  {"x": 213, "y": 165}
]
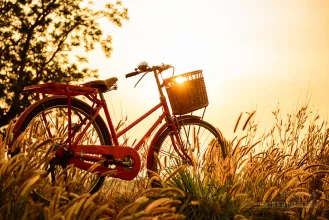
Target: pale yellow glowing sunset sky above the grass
[{"x": 255, "y": 55}]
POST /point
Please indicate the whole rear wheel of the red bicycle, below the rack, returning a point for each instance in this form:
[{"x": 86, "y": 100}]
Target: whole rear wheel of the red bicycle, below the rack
[{"x": 50, "y": 120}]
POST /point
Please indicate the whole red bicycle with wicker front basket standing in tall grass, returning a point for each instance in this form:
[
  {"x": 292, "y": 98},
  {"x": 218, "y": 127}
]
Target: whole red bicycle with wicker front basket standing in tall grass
[{"x": 82, "y": 138}]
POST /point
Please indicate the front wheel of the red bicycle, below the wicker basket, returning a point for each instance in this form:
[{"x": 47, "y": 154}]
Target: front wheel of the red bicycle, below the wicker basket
[{"x": 200, "y": 140}]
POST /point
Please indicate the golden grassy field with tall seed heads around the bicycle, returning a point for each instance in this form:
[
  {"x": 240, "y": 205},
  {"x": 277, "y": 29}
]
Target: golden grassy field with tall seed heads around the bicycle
[{"x": 281, "y": 174}]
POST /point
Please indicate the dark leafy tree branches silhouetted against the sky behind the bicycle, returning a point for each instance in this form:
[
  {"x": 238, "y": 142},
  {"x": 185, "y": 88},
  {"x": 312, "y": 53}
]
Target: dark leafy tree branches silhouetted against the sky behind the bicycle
[{"x": 37, "y": 44}]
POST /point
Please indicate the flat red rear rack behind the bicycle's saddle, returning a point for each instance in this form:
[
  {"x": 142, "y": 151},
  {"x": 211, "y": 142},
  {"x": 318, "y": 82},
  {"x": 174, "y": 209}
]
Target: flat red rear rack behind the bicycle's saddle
[{"x": 61, "y": 89}]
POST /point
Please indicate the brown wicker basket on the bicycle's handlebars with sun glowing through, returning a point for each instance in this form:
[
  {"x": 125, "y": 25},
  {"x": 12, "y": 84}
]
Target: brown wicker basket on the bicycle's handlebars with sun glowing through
[{"x": 187, "y": 92}]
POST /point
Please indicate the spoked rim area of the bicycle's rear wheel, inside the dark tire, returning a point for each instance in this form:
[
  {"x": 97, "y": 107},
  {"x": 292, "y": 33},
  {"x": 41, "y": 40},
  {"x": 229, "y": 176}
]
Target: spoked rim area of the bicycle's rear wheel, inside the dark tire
[{"x": 53, "y": 123}]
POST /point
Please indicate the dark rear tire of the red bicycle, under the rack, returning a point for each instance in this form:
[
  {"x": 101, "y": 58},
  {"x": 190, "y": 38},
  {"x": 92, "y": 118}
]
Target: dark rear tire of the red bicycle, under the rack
[{"x": 78, "y": 107}]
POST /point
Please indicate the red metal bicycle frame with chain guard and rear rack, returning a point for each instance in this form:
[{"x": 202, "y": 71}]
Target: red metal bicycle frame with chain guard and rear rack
[{"x": 79, "y": 153}]
